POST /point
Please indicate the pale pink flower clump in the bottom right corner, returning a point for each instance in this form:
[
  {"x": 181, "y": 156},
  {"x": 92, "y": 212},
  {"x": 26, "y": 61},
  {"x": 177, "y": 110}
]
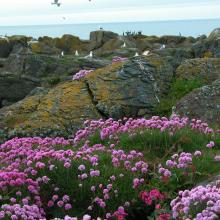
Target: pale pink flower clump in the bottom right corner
[{"x": 204, "y": 199}]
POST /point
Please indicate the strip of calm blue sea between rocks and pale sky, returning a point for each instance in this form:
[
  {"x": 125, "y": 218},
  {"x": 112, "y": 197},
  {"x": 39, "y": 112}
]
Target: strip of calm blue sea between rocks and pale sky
[{"x": 193, "y": 28}]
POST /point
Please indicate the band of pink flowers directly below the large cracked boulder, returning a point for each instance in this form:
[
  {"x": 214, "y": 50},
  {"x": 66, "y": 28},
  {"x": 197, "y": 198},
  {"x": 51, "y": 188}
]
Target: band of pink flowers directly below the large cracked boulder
[{"x": 111, "y": 129}]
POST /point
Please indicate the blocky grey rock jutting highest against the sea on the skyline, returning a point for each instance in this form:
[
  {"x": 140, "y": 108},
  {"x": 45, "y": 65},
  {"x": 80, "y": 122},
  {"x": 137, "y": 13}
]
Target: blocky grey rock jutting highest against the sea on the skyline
[{"x": 98, "y": 38}]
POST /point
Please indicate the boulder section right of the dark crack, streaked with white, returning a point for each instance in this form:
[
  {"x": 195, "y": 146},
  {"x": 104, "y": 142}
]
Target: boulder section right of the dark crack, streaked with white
[{"x": 131, "y": 88}]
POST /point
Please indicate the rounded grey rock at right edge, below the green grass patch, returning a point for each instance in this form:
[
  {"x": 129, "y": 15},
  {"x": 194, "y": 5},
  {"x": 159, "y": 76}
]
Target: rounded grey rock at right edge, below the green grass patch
[{"x": 202, "y": 103}]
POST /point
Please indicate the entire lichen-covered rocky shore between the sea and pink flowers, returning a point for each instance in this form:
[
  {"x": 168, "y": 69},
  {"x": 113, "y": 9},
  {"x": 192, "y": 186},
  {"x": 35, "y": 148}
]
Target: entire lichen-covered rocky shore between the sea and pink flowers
[{"x": 163, "y": 75}]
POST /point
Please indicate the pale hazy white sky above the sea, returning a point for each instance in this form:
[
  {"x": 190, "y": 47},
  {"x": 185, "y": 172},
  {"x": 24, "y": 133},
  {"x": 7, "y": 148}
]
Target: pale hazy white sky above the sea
[{"x": 31, "y": 12}]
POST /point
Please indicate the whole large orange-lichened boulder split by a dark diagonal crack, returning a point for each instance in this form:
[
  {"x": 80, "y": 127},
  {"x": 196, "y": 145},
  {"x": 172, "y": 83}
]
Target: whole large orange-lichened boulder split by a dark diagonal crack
[{"x": 128, "y": 89}]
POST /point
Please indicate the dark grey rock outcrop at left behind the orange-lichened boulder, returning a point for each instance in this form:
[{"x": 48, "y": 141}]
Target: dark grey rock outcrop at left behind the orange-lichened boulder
[{"x": 22, "y": 71}]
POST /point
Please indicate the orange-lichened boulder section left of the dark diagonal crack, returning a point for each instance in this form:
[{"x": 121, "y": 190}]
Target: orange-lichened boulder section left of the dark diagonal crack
[{"x": 59, "y": 111}]
